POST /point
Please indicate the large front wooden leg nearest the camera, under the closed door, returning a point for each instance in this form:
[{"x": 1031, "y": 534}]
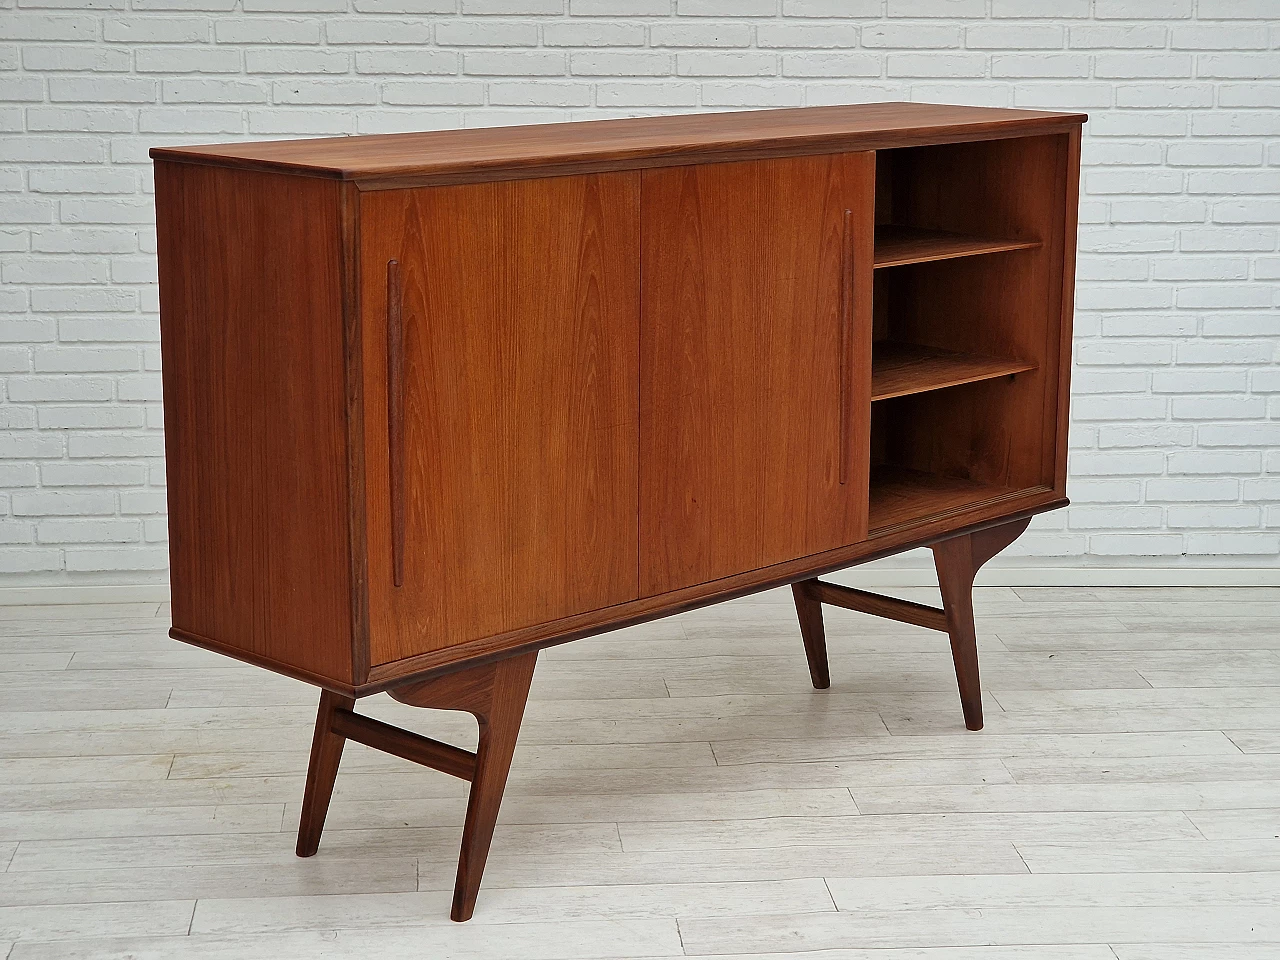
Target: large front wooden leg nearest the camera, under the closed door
[{"x": 496, "y": 694}]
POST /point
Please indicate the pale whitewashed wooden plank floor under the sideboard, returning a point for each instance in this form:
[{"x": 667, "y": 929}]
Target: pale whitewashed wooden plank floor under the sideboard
[{"x": 679, "y": 792}]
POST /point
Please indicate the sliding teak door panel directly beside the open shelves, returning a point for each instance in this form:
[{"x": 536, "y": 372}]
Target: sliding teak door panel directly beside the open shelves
[{"x": 742, "y": 365}]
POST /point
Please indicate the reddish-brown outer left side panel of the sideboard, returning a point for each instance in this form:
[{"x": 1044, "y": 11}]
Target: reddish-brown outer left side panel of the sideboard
[{"x": 254, "y": 391}]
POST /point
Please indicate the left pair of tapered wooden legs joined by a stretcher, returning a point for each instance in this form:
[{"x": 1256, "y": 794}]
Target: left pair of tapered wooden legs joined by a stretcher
[{"x": 495, "y": 694}]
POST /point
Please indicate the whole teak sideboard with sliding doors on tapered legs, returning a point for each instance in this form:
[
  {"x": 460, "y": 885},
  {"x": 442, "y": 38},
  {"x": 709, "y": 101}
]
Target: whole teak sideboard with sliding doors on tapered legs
[{"x": 435, "y": 401}]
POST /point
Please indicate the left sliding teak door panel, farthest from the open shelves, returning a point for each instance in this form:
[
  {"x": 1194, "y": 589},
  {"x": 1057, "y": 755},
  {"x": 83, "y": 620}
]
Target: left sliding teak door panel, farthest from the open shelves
[{"x": 520, "y": 336}]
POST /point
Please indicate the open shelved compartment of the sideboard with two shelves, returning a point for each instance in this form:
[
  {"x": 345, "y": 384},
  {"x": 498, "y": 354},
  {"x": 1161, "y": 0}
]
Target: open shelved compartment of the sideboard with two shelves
[{"x": 967, "y": 319}]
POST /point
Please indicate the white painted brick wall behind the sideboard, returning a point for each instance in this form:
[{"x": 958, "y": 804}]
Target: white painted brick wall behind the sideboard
[{"x": 1177, "y": 436}]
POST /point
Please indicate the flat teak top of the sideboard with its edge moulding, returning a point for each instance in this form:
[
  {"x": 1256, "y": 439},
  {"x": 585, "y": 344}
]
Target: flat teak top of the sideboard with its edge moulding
[{"x": 584, "y": 147}]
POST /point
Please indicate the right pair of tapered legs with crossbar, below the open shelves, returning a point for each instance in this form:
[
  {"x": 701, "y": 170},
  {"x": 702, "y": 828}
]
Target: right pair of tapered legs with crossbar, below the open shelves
[{"x": 958, "y": 561}]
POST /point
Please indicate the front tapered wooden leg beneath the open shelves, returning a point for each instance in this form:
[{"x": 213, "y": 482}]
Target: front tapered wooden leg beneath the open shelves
[{"x": 958, "y": 563}]
